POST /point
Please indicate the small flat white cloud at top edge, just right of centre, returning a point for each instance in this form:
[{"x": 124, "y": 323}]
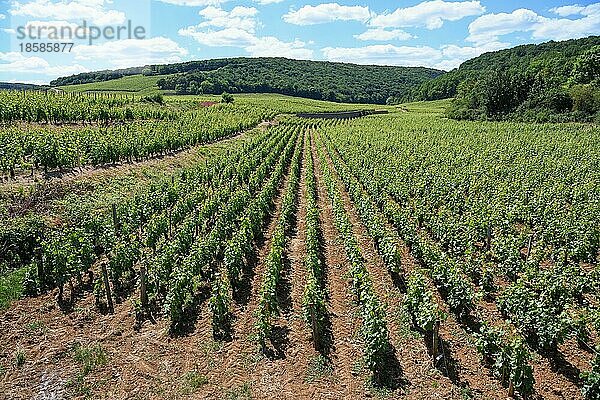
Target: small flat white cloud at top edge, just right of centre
[{"x": 323, "y": 13}]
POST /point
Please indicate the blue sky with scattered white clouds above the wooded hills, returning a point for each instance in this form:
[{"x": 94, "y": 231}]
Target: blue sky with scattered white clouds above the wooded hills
[{"x": 434, "y": 33}]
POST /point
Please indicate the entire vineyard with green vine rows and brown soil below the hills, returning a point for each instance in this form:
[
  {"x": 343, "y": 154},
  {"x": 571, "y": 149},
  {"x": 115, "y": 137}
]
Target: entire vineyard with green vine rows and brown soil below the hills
[{"x": 395, "y": 256}]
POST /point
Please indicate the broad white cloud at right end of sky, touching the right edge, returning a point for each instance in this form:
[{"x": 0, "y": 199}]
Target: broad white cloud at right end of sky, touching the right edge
[{"x": 489, "y": 28}]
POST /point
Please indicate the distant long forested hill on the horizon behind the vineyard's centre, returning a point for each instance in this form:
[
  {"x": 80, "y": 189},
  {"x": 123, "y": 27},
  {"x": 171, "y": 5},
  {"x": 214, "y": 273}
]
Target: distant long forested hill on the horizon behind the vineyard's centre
[{"x": 310, "y": 79}]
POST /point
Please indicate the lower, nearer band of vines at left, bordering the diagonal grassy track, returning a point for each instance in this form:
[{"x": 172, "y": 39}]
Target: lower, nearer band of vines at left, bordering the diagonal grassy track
[{"x": 29, "y": 148}]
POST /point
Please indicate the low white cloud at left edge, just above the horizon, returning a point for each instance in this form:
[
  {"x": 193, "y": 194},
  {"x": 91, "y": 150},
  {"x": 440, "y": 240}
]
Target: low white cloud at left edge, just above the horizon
[{"x": 13, "y": 61}]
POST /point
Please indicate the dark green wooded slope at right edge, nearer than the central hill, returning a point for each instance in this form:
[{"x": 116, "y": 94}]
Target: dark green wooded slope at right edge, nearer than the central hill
[{"x": 554, "y": 81}]
